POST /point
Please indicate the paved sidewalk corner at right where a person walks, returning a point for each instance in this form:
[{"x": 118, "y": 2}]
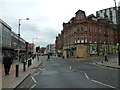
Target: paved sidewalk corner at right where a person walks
[{"x": 113, "y": 63}]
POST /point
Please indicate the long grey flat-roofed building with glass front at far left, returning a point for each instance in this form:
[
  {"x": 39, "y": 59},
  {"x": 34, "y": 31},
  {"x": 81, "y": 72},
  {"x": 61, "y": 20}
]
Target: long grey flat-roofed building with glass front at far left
[{"x": 10, "y": 41}]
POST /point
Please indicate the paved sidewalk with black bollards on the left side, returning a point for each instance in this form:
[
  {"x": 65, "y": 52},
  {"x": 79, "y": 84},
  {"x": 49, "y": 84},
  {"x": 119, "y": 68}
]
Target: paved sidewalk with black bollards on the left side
[{"x": 12, "y": 81}]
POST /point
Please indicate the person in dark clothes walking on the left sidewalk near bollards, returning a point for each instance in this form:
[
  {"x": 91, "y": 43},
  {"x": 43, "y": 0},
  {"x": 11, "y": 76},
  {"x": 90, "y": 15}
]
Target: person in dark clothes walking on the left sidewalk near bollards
[{"x": 7, "y": 61}]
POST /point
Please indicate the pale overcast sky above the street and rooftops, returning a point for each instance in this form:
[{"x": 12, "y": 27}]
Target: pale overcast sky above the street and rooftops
[{"x": 46, "y": 16}]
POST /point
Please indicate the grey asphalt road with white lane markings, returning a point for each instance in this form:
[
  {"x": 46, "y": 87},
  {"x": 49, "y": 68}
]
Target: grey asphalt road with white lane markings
[{"x": 65, "y": 73}]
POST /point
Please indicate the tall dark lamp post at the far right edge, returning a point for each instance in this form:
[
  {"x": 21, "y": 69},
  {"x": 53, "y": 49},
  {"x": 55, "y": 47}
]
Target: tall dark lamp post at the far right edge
[{"x": 118, "y": 32}]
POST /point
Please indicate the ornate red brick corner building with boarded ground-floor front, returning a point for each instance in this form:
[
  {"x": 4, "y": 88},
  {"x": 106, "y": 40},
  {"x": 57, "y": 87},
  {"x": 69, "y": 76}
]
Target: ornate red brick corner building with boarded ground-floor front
[{"x": 85, "y": 35}]
